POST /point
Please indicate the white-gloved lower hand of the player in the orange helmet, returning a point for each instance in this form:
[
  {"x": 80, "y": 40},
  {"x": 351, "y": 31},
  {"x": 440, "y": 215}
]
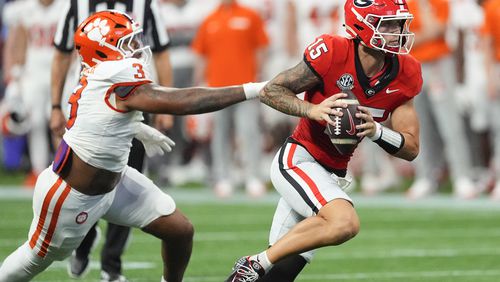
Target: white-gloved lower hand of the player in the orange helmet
[{"x": 155, "y": 143}]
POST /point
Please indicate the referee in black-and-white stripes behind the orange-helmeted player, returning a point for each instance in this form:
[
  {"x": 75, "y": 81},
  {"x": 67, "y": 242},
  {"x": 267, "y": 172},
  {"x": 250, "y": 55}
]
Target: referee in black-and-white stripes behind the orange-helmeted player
[{"x": 146, "y": 12}]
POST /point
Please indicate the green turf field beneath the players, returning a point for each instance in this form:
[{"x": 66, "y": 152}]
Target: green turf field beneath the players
[{"x": 437, "y": 239}]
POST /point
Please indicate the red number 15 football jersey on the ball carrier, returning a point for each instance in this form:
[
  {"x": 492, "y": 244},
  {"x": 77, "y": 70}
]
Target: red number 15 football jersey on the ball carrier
[{"x": 335, "y": 61}]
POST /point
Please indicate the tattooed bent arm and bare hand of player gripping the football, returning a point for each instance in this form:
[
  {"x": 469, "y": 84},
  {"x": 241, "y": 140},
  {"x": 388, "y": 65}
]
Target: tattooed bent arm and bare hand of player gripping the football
[{"x": 281, "y": 94}]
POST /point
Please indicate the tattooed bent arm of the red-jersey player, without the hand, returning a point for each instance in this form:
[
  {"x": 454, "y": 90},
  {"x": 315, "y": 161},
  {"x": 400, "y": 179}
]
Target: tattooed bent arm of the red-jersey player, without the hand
[{"x": 280, "y": 93}]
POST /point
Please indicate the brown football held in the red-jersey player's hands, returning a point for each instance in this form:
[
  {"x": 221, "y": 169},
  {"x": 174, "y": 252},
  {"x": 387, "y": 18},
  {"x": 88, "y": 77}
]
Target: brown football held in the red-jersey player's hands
[{"x": 343, "y": 133}]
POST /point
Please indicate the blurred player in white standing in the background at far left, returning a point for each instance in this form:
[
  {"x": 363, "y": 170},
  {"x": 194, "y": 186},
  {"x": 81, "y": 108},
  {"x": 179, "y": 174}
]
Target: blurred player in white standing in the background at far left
[{"x": 33, "y": 36}]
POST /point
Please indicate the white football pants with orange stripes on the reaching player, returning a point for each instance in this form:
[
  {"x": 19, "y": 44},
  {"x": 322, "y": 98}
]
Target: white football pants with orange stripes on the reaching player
[{"x": 63, "y": 216}]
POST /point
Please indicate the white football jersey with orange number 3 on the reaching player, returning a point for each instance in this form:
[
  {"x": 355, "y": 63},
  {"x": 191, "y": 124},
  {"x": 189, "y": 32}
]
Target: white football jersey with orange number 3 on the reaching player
[{"x": 99, "y": 133}]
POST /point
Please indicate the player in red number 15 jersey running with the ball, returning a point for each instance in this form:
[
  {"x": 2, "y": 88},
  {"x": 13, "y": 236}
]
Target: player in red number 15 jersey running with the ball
[{"x": 308, "y": 171}]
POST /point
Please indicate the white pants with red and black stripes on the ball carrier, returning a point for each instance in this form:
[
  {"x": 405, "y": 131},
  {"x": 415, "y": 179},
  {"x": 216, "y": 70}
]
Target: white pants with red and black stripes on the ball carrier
[{"x": 305, "y": 187}]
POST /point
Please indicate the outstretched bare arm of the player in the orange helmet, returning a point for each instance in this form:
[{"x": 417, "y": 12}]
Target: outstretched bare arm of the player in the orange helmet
[{"x": 153, "y": 98}]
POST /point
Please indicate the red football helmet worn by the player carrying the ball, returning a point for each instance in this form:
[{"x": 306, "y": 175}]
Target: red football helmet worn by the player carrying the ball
[{"x": 373, "y": 21}]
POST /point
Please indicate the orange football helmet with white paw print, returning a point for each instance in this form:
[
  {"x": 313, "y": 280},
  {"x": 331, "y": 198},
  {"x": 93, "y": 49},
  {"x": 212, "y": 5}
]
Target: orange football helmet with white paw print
[{"x": 108, "y": 36}]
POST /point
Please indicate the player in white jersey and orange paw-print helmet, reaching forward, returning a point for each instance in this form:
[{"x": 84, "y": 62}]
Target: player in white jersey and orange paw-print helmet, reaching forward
[{"x": 89, "y": 178}]
